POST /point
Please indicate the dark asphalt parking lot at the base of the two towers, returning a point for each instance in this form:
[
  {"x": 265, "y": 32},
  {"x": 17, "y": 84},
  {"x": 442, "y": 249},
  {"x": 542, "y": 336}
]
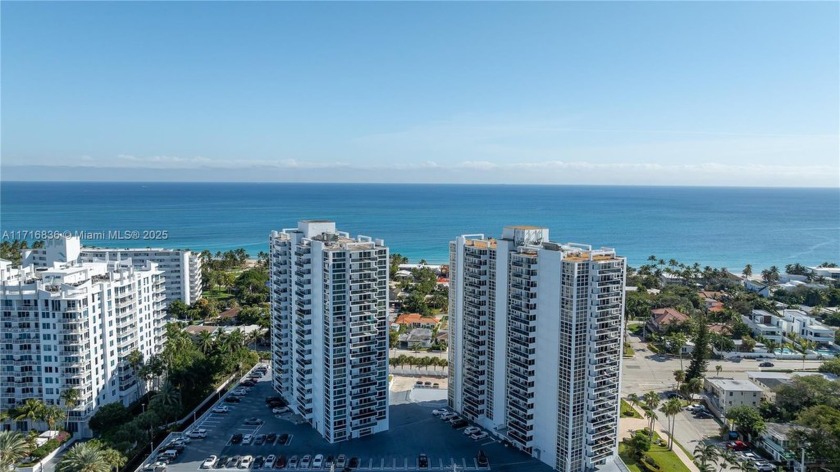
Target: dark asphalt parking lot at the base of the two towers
[{"x": 413, "y": 431}]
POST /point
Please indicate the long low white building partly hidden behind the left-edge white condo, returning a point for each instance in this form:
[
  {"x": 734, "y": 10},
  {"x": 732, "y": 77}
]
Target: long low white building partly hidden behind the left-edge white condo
[{"x": 181, "y": 268}]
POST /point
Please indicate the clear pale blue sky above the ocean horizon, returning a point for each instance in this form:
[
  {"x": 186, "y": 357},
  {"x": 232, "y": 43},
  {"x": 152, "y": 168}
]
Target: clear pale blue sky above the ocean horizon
[{"x": 657, "y": 93}]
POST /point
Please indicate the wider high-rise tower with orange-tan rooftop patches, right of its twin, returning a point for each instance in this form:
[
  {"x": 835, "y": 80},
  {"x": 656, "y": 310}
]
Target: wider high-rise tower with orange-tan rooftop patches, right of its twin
[{"x": 535, "y": 344}]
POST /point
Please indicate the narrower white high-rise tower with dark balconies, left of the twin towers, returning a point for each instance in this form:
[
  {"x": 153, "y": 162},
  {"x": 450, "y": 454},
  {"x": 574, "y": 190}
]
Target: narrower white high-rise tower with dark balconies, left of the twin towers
[{"x": 329, "y": 306}]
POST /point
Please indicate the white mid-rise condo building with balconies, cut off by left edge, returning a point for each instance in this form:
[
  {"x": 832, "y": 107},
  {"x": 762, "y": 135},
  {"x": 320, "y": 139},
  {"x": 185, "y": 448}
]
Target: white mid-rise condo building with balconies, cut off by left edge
[{"x": 72, "y": 325}]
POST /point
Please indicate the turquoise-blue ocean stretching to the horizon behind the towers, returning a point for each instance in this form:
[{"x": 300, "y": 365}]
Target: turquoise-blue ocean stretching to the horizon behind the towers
[{"x": 719, "y": 227}]
